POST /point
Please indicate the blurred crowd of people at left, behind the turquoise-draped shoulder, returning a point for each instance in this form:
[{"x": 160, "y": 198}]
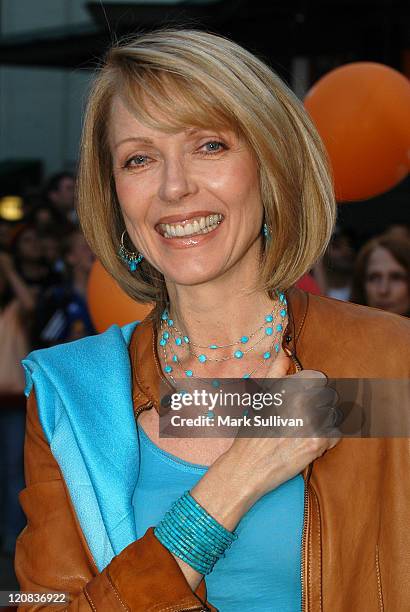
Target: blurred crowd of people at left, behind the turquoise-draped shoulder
[{"x": 44, "y": 268}]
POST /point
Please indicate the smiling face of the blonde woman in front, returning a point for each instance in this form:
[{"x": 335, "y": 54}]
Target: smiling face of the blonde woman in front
[{"x": 168, "y": 184}]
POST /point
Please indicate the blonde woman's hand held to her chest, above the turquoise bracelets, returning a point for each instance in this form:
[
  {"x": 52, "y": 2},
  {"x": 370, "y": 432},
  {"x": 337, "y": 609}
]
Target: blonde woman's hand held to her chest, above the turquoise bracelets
[{"x": 254, "y": 466}]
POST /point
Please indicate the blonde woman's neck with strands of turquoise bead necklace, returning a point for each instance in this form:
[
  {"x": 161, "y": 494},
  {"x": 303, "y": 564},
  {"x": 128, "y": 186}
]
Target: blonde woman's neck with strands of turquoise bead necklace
[{"x": 221, "y": 312}]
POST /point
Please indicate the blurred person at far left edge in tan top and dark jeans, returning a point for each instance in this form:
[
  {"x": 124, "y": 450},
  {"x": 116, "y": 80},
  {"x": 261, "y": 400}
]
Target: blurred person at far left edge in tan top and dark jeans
[{"x": 16, "y": 307}]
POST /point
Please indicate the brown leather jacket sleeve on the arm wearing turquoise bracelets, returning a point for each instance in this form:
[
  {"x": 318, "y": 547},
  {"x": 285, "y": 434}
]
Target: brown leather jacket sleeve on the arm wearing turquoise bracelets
[{"x": 52, "y": 554}]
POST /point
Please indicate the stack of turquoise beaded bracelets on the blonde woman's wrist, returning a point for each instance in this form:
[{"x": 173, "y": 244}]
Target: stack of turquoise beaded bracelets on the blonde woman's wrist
[{"x": 193, "y": 535}]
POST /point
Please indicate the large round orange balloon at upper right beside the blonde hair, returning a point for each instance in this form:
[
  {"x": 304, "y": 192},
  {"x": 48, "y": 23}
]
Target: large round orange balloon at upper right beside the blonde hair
[{"x": 362, "y": 113}]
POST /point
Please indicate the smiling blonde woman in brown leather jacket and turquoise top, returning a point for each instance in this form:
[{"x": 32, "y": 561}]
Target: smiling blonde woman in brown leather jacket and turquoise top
[{"x": 201, "y": 170}]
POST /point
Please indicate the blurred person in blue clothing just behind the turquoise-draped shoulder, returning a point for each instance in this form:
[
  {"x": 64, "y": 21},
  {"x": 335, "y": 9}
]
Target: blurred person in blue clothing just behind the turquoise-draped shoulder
[{"x": 62, "y": 313}]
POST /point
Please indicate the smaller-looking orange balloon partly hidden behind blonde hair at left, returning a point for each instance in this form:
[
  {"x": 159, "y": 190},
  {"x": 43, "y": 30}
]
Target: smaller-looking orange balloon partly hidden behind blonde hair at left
[{"x": 109, "y": 304}]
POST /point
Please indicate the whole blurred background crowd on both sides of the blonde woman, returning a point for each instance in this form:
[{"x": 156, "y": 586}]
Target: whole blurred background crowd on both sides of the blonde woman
[{"x": 44, "y": 268}]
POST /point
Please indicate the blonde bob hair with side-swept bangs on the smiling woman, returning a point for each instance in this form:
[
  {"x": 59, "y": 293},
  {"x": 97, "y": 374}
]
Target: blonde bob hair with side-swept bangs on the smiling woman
[{"x": 197, "y": 79}]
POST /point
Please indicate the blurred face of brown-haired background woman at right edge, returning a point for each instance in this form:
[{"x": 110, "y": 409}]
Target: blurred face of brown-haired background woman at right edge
[{"x": 386, "y": 282}]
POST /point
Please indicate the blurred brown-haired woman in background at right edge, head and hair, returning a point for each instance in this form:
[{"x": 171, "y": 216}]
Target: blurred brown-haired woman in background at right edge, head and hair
[{"x": 382, "y": 275}]
